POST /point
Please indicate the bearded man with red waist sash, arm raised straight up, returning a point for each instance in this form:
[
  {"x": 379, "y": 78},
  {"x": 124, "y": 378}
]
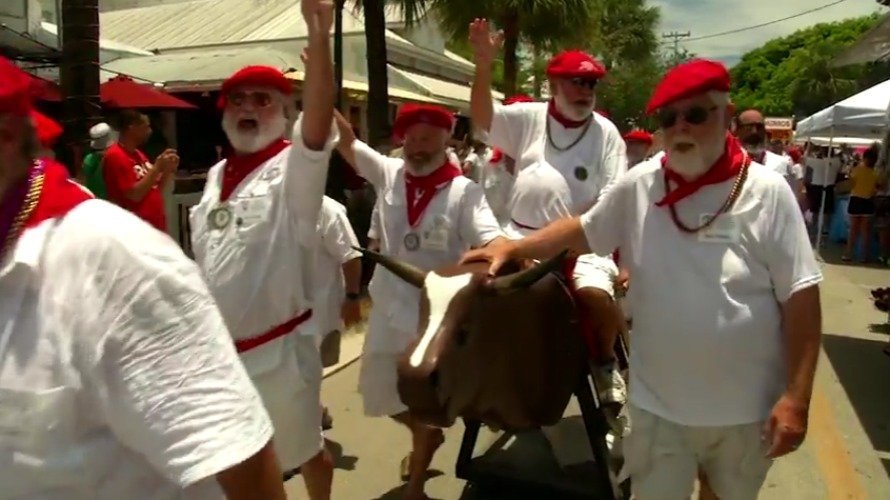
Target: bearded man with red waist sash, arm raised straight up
[{"x": 254, "y": 234}]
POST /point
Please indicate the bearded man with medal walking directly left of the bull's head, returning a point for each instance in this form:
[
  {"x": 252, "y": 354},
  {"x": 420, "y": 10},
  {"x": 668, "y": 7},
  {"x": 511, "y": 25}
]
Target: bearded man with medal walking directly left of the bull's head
[{"x": 428, "y": 215}]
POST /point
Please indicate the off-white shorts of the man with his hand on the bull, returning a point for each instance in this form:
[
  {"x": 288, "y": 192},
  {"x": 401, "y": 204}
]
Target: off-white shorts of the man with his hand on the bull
[{"x": 662, "y": 458}]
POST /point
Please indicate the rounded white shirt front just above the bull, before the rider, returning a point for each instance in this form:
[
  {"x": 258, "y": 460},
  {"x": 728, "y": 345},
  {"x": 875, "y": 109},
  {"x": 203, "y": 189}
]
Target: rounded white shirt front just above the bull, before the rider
[{"x": 540, "y": 196}]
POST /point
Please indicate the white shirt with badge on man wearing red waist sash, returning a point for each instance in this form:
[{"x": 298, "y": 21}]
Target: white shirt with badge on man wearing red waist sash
[{"x": 259, "y": 266}]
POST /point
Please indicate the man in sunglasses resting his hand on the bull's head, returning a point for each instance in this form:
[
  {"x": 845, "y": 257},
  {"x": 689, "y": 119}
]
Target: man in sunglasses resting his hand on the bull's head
[{"x": 725, "y": 301}]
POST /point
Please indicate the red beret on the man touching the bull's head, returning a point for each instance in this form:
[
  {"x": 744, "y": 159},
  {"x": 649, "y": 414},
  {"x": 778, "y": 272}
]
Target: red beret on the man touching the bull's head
[{"x": 688, "y": 79}]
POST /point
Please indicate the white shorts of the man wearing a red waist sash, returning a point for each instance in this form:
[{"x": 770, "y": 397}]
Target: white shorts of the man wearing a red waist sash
[{"x": 295, "y": 414}]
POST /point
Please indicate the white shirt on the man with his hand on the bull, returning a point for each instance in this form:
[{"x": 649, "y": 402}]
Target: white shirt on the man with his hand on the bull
[{"x": 707, "y": 347}]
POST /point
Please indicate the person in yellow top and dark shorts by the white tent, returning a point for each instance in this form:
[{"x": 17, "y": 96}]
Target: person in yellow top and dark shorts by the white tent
[{"x": 862, "y": 204}]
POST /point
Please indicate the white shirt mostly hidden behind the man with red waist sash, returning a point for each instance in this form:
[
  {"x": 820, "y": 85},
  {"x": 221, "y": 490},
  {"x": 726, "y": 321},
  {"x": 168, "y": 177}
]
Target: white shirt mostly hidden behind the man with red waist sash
[{"x": 338, "y": 243}]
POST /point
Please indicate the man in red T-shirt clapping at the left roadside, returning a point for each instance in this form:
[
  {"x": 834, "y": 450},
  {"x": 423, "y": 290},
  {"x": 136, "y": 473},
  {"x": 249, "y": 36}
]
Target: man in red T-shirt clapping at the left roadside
[{"x": 132, "y": 181}]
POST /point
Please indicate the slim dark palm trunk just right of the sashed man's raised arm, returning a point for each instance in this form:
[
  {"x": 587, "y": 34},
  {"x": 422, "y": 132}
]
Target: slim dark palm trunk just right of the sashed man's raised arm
[{"x": 378, "y": 82}]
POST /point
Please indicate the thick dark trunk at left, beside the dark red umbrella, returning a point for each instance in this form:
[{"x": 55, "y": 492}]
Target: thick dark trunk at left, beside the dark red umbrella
[{"x": 79, "y": 77}]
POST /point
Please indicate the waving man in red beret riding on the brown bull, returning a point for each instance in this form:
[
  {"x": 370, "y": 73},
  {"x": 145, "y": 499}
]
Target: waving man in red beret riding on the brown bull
[{"x": 582, "y": 145}]
